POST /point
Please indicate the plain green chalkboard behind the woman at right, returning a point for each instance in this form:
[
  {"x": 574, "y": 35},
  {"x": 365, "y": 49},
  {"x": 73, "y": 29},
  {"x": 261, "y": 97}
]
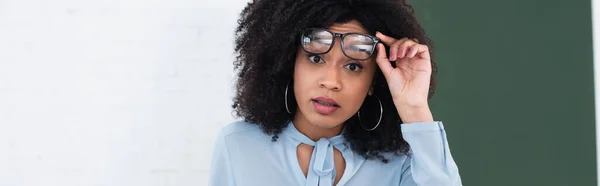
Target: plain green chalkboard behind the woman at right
[{"x": 515, "y": 89}]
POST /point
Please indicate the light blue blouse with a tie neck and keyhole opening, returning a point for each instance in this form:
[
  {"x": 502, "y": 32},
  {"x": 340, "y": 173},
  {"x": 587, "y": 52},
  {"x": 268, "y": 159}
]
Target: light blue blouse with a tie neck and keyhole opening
[{"x": 245, "y": 156}]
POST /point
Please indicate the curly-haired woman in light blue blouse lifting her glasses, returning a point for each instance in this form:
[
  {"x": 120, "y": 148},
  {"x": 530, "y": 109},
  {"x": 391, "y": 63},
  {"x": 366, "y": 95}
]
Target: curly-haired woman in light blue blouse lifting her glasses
[{"x": 332, "y": 92}]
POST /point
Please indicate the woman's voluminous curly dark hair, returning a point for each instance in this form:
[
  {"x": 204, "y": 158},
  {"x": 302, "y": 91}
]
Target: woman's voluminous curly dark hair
[{"x": 267, "y": 39}]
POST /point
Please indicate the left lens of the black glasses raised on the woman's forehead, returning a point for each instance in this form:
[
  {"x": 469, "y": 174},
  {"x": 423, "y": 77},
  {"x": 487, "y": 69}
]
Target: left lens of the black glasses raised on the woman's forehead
[{"x": 316, "y": 41}]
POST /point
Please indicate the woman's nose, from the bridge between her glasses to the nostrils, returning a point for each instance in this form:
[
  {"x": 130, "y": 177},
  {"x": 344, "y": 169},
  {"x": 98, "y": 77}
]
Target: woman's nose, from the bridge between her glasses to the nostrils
[{"x": 332, "y": 80}]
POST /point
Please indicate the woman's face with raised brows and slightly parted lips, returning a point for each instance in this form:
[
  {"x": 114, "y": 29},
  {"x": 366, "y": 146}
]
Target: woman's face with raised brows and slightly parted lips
[{"x": 330, "y": 87}]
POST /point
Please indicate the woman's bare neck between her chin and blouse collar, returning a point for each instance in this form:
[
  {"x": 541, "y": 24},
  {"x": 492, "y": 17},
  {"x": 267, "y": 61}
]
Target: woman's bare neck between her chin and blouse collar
[{"x": 315, "y": 131}]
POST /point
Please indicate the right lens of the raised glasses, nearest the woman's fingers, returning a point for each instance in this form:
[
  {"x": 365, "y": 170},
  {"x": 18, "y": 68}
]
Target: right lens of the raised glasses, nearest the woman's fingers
[{"x": 359, "y": 46}]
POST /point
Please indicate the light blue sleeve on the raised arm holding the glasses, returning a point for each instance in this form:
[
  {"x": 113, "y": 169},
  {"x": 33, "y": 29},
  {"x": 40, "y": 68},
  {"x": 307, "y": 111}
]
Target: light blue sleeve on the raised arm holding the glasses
[{"x": 430, "y": 162}]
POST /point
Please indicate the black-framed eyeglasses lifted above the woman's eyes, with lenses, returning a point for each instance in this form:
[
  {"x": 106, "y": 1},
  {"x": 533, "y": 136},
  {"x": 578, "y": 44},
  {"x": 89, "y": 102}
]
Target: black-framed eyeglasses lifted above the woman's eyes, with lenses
[{"x": 355, "y": 46}]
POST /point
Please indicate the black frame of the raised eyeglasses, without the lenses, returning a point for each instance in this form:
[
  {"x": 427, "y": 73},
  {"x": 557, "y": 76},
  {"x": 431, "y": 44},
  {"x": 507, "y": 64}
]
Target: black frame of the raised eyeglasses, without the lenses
[{"x": 341, "y": 36}]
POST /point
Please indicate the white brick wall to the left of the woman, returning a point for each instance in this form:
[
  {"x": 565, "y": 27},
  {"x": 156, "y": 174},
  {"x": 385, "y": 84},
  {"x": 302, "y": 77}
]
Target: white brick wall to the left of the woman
[{"x": 113, "y": 92}]
